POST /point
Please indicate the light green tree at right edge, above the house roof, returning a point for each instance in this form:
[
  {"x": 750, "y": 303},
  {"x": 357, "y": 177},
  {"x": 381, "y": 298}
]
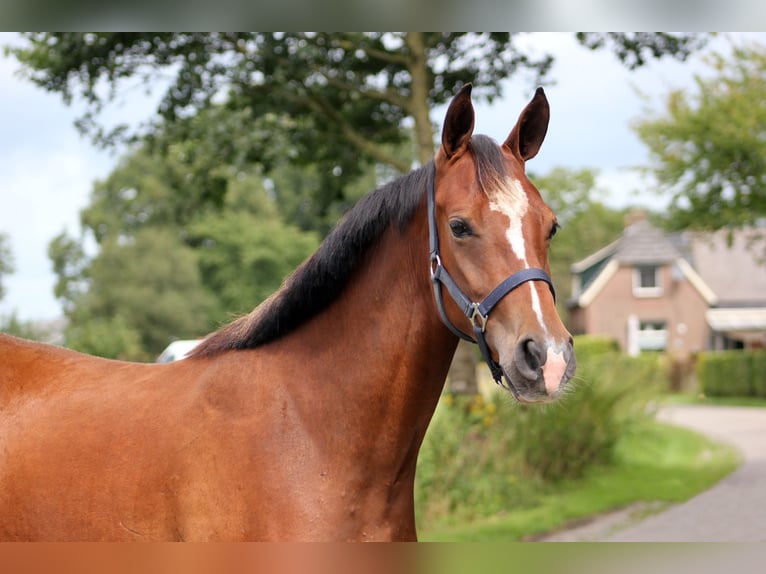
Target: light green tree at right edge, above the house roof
[{"x": 708, "y": 148}]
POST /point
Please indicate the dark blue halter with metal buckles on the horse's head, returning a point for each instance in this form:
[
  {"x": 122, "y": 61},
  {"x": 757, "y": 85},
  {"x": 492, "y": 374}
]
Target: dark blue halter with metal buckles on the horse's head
[{"x": 477, "y": 313}]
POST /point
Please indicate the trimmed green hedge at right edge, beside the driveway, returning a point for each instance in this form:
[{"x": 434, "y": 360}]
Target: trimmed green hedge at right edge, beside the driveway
[{"x": 736, "y": 373}]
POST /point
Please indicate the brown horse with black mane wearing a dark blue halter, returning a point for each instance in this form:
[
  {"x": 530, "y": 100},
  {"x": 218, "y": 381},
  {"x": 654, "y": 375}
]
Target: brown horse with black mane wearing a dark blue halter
[{"x": 303, "y": 419}]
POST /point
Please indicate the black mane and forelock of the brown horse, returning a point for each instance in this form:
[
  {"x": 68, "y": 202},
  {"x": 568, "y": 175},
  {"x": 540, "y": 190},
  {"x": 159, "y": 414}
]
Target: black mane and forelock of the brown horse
[{"x": 320, "y": 279}]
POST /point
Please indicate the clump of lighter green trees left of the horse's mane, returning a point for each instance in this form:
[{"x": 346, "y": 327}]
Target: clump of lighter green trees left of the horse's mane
[{"x": 170, "y": 265}]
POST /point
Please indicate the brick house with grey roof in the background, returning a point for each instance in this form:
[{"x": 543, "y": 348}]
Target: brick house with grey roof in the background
[{"x": 680, "y": 293}]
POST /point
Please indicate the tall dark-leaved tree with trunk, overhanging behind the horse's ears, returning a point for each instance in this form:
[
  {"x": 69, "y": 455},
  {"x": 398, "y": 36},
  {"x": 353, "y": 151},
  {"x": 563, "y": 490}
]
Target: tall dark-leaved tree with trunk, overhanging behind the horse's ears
[{"x": 348, "y": 98}]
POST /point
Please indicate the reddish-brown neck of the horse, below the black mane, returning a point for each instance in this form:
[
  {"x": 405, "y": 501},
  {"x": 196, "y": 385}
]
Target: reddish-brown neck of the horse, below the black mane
[{"x": 381, "y": 345}]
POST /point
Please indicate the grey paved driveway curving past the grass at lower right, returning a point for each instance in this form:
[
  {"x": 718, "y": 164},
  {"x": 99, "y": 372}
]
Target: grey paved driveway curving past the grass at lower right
[{"x": 734, "y": 510}]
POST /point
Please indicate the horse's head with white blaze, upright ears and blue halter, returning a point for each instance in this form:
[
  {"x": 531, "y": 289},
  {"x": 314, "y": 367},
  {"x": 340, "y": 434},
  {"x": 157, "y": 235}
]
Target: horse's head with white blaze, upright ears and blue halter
[{"x": 491, "y": 223}]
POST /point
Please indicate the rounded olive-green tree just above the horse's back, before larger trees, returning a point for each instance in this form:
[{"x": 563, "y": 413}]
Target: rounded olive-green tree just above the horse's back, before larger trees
[{"x": 150, "y": 287}]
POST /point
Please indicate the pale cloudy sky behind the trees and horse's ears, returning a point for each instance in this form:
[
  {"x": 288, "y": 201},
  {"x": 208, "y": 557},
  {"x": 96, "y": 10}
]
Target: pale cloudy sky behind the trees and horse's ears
[{"x": 47, "y": 169}]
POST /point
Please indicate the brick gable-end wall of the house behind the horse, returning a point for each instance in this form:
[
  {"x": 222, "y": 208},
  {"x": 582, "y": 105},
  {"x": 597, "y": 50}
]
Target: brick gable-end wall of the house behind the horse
[{"x": 680, "y": 306}]
